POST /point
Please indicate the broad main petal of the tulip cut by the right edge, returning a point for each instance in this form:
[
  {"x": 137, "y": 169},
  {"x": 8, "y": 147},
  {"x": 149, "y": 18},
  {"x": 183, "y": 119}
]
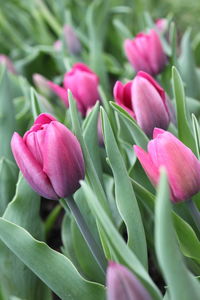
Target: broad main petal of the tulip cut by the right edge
[{"x": 183, "y": 168}]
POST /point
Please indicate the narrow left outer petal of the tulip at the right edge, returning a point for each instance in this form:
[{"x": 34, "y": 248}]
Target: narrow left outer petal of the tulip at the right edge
[{"x": 147, "y": 163}]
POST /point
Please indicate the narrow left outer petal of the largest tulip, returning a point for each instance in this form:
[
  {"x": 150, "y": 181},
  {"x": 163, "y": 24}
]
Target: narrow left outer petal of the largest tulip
[{"x": 31, "y": 169}]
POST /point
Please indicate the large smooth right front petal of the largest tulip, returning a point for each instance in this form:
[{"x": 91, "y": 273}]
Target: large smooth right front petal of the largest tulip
[{"x": 63, "y": 160}]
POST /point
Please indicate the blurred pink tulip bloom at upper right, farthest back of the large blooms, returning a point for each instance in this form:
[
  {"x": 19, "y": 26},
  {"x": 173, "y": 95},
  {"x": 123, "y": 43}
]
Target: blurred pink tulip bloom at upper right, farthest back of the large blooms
[{"x": 145, "y": 53}]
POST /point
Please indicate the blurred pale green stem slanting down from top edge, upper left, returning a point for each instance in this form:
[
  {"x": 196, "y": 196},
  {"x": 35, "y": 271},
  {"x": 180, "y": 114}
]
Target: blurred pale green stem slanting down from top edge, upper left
[{"x": 49, "y": 17}]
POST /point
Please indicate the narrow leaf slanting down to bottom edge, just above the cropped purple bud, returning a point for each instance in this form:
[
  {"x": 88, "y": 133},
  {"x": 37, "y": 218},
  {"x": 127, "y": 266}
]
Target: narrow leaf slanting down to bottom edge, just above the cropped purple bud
[{"x": 119, "y": 249}]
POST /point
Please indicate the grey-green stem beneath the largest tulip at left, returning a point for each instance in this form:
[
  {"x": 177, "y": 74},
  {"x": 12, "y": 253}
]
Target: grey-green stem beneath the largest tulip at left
[{"x": 92, "y": 244}]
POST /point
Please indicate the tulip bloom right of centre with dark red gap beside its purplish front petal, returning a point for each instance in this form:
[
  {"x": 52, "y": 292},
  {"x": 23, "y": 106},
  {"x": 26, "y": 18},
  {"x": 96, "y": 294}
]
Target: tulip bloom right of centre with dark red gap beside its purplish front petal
[{"x": 146, "y": 101}]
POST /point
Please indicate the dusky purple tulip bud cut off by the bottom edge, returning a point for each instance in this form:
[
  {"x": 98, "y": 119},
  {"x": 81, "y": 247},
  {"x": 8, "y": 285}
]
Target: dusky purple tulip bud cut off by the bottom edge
[{"x": 123, "y": 285}]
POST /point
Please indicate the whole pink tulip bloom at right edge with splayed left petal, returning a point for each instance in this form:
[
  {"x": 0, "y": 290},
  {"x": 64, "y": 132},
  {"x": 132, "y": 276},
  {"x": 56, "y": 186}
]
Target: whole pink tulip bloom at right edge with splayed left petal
[{"x": 182, "y": 166}]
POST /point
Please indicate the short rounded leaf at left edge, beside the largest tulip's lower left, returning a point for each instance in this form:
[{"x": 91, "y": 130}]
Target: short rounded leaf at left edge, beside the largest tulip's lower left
[{"x": 8, "y": 179}]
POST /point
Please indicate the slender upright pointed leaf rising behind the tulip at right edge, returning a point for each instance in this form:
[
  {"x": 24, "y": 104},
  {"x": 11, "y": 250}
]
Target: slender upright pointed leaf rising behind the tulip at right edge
[{"x": 184, "y": 132}]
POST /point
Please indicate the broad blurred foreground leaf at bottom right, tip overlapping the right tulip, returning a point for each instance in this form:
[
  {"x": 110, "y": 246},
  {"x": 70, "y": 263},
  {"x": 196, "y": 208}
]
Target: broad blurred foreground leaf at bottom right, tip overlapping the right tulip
[{"x": 181, "y": 283}]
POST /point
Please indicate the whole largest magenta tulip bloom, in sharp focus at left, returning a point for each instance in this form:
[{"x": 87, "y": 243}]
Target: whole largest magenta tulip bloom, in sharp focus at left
[{"x": 50, "y": 158}]
